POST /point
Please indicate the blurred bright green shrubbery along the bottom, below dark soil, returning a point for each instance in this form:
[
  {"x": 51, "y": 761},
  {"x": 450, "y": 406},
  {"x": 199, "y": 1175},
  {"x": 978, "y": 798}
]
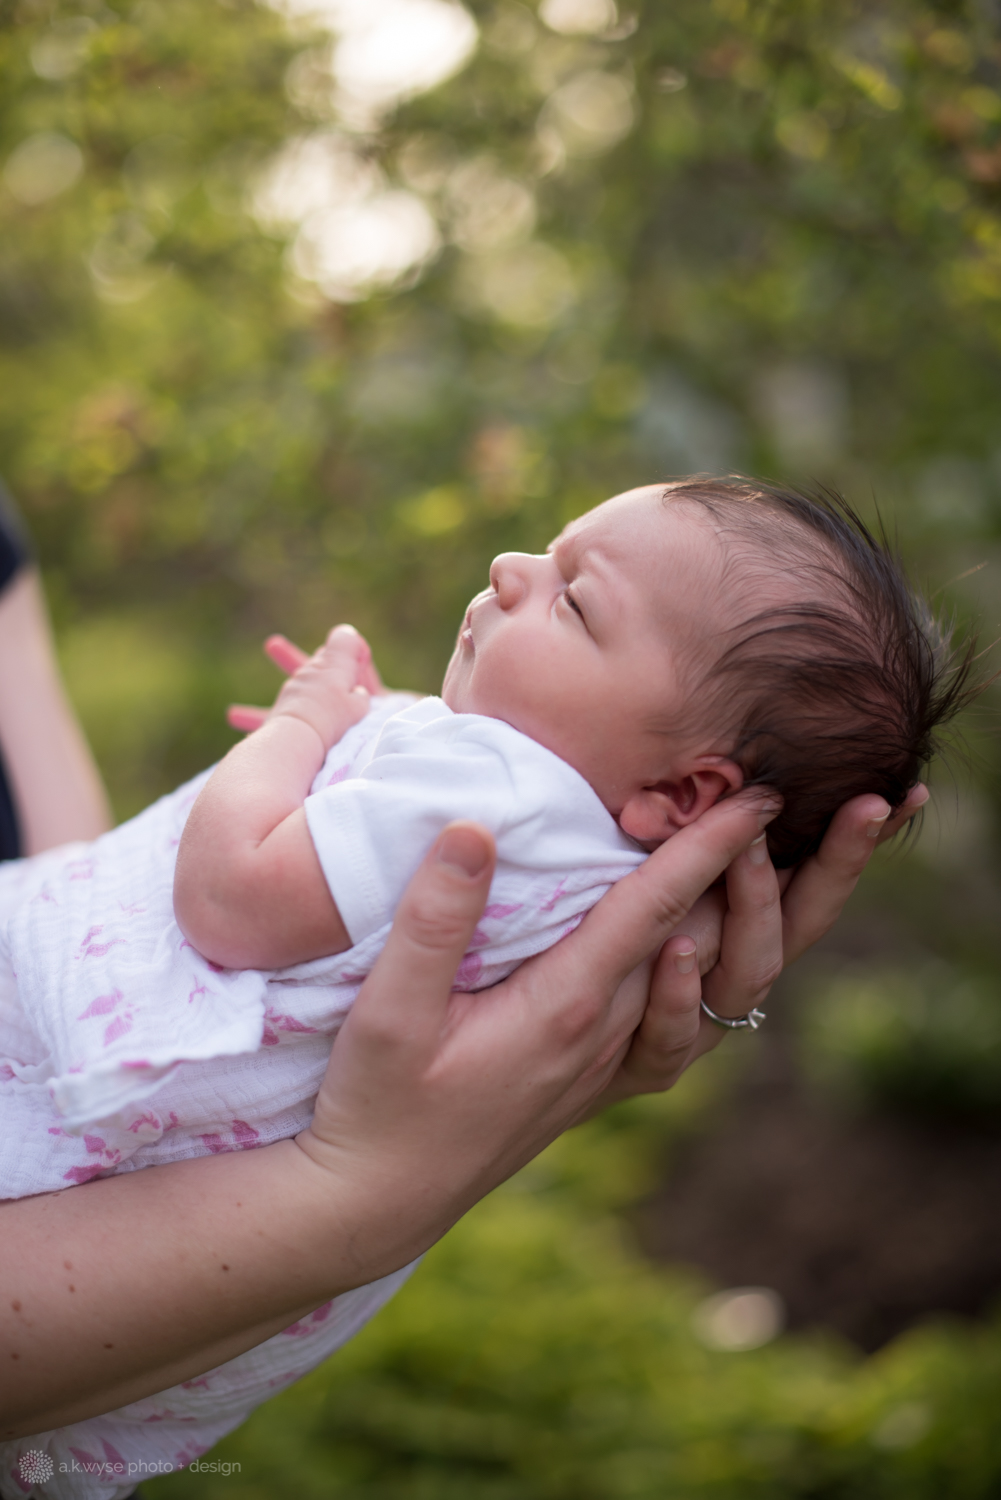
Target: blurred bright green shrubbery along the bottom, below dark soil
[{"x": 535, "y": 1357}]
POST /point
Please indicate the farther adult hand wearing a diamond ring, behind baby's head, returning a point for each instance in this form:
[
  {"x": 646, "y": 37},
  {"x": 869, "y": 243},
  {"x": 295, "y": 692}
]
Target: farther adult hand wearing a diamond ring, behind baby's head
[{"x": 744, "y": 937}]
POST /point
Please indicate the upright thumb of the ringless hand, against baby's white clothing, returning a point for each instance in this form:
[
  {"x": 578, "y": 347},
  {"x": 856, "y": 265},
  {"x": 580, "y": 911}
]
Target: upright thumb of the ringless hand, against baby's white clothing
[{"x": 409, "y": 989}]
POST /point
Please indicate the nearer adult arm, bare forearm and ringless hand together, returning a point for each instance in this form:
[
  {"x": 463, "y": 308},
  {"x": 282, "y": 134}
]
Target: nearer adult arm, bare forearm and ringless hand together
[{"x": 431, "y": 1100}]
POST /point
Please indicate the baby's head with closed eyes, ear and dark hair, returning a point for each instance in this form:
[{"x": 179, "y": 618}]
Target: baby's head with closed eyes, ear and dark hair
[{"x": 684, "y": 641}]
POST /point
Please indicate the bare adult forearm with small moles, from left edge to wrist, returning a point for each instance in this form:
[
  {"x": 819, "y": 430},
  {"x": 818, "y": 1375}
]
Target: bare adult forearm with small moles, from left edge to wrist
[{"x": 127, "y": 1286}]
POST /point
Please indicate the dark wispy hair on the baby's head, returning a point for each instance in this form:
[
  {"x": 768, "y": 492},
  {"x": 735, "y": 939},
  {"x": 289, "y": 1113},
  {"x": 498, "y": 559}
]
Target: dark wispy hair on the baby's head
[{"x": 844, "y": 688}]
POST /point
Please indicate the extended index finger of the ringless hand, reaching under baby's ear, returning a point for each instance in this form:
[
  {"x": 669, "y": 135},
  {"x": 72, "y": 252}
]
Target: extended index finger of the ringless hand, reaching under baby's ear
[{"x": 643, "y": 911}]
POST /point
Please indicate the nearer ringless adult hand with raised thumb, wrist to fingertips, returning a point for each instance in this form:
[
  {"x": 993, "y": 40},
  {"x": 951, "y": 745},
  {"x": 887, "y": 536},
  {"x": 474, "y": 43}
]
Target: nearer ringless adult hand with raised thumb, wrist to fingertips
[{"x": 439, "y": 1097}]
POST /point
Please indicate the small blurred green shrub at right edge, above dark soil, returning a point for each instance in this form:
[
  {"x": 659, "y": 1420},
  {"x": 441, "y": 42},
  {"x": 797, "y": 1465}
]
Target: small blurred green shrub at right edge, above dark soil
[{"x": 925, "y": 1040}]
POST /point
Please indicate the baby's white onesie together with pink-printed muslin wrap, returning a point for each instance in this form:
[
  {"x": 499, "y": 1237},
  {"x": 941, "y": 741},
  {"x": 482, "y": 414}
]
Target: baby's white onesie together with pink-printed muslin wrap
[{"x": 122, "y": 1048}]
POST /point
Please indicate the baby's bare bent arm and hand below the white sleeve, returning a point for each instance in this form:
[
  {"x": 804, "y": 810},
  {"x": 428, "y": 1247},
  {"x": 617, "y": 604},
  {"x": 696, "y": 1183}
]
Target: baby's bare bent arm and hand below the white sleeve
[{"x": 250, "y": 892}]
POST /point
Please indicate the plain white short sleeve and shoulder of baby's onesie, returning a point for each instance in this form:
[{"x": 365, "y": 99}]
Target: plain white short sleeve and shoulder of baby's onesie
[{"x": 559, "y": 850}]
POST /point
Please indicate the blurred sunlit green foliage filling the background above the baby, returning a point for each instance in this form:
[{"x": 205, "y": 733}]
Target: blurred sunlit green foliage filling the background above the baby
[{"x": 766, "y": 236}]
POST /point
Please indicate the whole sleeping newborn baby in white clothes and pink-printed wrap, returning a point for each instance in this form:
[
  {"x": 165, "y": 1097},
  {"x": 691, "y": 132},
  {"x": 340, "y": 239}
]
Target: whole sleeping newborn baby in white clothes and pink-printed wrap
[{"x": 173, "y": 989}]
